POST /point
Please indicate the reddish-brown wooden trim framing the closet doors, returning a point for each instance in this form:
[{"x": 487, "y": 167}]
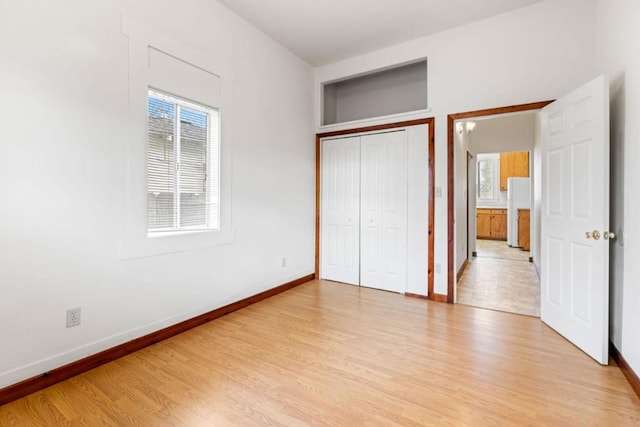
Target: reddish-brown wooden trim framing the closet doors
[{"x": 431, "y": 197}]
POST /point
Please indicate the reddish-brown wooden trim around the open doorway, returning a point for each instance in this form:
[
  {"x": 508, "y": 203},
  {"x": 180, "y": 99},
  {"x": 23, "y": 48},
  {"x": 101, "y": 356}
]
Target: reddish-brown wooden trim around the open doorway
[{"x": 451, "y": 118}]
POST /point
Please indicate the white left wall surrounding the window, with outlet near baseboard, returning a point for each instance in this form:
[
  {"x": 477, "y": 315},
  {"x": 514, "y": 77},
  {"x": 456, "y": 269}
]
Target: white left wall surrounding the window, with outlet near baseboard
[{"x": 66, "y": 124}]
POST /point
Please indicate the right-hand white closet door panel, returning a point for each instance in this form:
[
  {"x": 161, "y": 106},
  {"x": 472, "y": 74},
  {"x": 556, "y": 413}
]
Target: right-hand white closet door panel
[{"x": 383, "y": 214}]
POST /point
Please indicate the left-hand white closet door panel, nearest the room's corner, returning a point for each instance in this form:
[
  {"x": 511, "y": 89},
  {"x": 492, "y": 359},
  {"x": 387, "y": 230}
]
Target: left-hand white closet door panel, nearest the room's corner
[{"x": 340, "y": 220}]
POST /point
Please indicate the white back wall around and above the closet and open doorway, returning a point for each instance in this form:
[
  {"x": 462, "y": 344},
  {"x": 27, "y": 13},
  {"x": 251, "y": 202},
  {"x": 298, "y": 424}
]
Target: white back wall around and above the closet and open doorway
[{"x": 531, "y": 54}]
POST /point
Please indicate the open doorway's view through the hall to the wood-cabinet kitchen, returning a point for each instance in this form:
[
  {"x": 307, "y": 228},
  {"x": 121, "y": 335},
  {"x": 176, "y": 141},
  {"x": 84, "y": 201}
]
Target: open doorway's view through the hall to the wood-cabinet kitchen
[{"x": 497, "y": 274}]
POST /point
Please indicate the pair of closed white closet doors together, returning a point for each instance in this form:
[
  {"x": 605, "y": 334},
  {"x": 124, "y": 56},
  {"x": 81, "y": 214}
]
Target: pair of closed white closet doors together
[{"x": 364, "y": 217}]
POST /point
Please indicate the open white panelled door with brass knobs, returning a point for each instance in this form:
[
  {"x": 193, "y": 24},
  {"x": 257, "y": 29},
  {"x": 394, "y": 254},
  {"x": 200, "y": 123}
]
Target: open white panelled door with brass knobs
[{"x": 575, "y": 217}]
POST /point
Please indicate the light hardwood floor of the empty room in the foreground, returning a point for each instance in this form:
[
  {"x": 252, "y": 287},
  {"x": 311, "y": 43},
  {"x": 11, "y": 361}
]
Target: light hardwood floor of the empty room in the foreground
[{"x": 334, "y": 354}]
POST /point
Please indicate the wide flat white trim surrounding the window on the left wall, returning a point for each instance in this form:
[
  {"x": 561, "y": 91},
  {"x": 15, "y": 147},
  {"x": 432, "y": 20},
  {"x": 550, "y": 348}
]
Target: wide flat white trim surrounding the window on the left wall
[{"x": 136, "y": 242}]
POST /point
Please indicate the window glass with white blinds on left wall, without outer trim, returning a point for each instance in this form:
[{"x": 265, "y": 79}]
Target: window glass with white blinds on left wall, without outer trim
[{"x": 182, "y": 165}]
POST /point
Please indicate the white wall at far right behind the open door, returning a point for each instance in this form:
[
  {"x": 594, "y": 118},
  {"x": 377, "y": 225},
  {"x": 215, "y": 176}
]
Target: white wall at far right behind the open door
[{"x": 618, "y": 35}]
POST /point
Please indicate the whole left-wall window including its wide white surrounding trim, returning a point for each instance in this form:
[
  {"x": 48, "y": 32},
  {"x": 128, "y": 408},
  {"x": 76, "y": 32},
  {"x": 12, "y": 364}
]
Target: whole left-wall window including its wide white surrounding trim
[{"x": 180, "y": 101}]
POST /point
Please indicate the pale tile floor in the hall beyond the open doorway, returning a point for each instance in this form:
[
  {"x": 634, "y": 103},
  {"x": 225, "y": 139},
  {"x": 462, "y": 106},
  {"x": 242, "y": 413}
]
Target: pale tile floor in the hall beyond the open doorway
[{"x": 500, "y": 278}]
